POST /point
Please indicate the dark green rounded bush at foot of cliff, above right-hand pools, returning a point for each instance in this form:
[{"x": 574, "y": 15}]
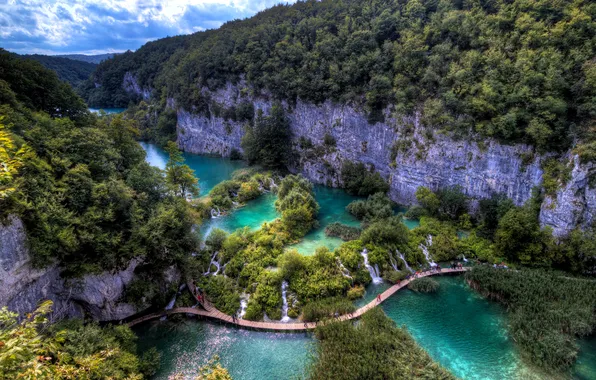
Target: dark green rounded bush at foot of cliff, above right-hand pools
[{"x": 357, "y": 180}]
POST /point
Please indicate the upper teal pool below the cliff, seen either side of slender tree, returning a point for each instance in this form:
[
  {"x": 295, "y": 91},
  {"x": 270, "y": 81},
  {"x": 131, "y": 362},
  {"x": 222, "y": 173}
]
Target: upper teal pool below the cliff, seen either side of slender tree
[{"x": 209, "y": 170}]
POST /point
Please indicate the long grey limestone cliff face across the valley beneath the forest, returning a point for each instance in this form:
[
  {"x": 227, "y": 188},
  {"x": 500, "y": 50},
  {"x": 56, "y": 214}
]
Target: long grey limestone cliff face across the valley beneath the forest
[{"x": 406, "y": 153}]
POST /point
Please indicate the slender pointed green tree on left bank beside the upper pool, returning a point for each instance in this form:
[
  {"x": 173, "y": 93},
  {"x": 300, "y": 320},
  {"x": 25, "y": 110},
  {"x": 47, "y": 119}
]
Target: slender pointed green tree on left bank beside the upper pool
[{"x": 180, "y": 177}]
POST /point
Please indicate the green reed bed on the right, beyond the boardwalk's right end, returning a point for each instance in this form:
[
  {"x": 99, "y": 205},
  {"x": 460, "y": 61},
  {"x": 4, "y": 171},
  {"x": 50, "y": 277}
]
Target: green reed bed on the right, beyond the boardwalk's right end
[{"x": 547, "y": 311}]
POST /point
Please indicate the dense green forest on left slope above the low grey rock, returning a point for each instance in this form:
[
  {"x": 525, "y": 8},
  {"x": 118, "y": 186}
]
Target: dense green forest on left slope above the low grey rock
[{"x": 81, "y": 184}]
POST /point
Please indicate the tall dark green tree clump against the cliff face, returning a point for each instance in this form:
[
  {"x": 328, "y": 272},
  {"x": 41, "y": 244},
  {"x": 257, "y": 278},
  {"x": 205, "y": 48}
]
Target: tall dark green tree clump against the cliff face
[{"x": 268, "y": 141}]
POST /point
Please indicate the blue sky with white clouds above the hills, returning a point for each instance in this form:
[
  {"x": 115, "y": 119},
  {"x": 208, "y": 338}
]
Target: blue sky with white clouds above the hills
[{"x": 110, "y": 26}]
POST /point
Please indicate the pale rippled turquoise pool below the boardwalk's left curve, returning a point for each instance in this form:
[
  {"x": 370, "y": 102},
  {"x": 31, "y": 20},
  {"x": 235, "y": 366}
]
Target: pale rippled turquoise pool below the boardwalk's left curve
[{"x": 246, "y": 354}]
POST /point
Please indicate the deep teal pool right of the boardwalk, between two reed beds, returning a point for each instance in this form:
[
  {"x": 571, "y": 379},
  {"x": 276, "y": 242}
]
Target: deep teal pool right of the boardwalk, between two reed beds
[{"x": 461, "y": 330}]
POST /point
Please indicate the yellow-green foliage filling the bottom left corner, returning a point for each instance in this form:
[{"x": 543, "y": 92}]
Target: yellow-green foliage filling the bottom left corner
[{"x": 70, "y": 350}]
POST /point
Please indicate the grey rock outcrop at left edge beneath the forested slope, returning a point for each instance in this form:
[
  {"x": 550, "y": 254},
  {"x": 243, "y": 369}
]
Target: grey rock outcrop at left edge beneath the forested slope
[{"x": 22, "y": 286}]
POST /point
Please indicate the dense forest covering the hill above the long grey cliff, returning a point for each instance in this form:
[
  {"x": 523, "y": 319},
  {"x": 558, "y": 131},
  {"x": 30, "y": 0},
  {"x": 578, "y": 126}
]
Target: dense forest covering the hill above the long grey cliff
[{"x": 518, "y": 70}]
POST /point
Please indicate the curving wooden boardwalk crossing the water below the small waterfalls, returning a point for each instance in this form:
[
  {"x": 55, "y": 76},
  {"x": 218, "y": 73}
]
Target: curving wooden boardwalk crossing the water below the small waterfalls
[{"x": 213, "y": 313}]
